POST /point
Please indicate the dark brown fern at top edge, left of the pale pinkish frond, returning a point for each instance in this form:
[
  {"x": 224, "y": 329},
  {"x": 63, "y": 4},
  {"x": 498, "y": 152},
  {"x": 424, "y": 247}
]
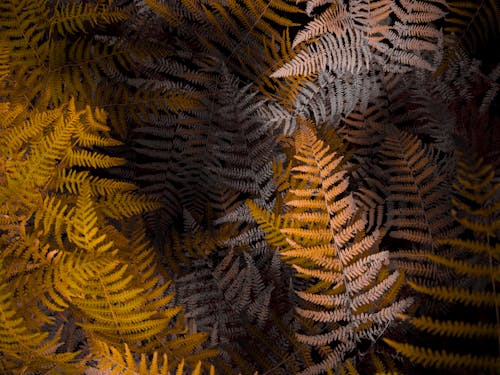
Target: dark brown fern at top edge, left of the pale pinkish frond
[{"x": 232, "y": 31}]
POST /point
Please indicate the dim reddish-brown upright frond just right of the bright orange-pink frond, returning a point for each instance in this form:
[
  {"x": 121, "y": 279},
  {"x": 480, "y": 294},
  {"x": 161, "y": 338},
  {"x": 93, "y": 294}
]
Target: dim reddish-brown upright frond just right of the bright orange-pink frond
[{"x": 418, "y": 201}]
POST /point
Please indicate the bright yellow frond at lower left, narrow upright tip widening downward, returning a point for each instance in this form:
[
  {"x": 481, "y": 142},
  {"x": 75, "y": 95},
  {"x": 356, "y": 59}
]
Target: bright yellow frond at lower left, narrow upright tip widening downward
[{"x": 116, "y": 305}]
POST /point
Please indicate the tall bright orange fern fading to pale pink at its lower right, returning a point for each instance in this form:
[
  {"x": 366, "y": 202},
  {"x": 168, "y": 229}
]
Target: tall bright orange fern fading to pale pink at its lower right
[{"x": 351, "y": 296}]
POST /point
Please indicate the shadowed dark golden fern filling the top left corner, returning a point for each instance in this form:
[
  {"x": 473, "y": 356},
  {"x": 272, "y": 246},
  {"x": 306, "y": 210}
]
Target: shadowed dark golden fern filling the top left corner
[{"x": 47, "y": 65}]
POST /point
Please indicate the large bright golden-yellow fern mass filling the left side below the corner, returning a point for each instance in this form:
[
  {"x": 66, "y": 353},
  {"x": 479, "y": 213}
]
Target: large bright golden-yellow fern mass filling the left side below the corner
[{"x": 57, "y": 252}]
